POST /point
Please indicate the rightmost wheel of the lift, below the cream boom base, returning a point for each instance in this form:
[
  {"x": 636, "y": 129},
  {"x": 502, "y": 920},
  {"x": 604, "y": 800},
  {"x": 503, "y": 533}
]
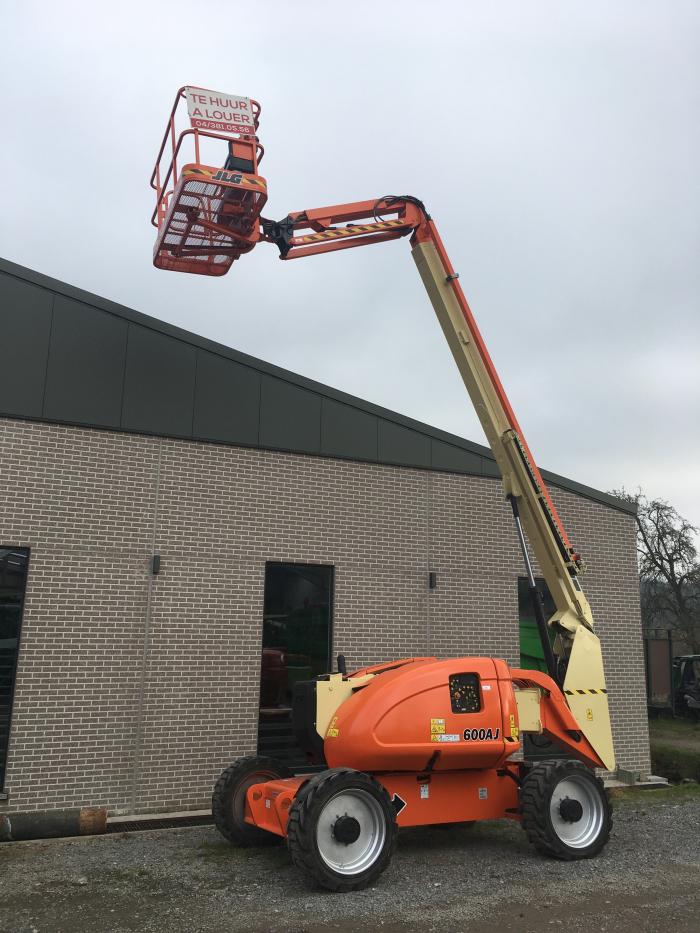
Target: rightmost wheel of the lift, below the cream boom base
[{"x": 565, "y": 809}]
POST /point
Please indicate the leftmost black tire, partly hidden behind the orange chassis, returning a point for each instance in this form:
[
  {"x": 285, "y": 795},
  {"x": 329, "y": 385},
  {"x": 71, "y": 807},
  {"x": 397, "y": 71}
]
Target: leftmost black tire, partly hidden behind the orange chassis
[{"x": 228, "y": 799}]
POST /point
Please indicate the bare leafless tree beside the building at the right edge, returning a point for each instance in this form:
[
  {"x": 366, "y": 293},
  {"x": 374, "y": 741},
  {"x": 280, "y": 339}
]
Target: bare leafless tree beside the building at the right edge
[{"x": 669, "y": 571}]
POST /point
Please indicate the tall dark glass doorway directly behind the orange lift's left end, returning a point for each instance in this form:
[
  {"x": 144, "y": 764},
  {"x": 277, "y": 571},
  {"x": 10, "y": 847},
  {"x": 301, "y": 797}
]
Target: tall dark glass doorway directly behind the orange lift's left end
[{"x": 296, "y": 646}]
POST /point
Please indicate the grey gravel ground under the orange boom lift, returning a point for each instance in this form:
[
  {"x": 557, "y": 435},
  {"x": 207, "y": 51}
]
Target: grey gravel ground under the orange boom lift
[{"x": 484, "y": 879}]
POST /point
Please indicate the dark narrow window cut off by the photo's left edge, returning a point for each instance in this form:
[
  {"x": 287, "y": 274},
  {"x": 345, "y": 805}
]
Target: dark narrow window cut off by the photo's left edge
[{"x": 13, "y": 579}]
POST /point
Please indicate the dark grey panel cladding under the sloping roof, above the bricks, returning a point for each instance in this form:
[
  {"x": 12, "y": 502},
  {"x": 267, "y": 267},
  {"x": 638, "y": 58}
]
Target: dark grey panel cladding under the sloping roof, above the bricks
[{"x": 72, "y": 357}]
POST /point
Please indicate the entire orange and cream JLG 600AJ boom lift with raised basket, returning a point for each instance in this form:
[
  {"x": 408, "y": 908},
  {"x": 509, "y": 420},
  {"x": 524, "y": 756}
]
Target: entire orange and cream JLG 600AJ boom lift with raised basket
[{"x": 419, "y": 740}]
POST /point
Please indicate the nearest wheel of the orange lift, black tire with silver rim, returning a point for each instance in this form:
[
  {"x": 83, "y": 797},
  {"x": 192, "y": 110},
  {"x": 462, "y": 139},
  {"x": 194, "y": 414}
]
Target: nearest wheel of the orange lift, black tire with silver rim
[{"x": 311, "y": 831}]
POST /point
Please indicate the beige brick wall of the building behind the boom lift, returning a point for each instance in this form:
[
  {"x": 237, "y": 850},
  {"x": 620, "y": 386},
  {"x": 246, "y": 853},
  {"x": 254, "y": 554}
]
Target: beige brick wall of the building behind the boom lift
[{"x": 133, "y": 691}]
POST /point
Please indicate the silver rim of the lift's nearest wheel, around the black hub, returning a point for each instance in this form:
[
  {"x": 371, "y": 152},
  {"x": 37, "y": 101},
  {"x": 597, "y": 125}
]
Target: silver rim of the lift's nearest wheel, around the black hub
[{"x": 355, "y": 857}]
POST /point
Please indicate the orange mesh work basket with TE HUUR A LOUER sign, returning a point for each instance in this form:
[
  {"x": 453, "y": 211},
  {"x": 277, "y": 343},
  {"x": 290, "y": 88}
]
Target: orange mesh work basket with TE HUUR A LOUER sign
[{"x": 207, "y": 214}]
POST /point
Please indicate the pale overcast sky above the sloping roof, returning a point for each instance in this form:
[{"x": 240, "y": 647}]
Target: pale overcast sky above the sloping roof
[{"x": 555, "y": 143}]
